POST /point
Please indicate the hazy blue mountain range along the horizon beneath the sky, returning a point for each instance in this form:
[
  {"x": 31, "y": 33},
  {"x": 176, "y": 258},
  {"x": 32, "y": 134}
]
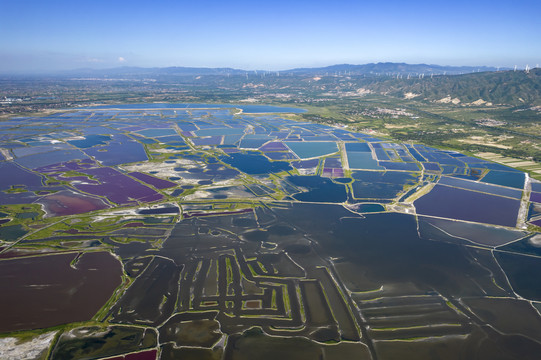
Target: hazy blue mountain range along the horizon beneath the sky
[{"x": 389, "y": 69}]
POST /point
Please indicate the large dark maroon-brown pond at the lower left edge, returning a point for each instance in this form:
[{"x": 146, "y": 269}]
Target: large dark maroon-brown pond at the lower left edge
[{"x": 49, "y": 291}]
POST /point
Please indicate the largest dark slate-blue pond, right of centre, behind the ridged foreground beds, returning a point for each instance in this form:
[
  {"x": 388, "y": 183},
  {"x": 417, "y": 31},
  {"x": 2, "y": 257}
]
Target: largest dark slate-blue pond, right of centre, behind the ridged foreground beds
[{"x": 387, "y": 246}]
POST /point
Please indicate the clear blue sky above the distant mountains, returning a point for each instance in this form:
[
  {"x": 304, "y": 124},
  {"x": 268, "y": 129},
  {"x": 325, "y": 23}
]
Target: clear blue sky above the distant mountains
[{"x": 57, "y": 34}]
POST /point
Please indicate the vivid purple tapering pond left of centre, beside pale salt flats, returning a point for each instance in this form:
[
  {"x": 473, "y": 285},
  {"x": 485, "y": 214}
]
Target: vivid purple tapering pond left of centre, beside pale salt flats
[{"x": 118, "y": 187}]
